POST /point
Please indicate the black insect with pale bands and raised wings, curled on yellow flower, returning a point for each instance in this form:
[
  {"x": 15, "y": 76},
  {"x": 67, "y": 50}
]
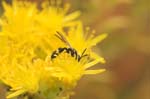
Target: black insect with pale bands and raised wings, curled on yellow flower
[{"x": 68, "y": 50}]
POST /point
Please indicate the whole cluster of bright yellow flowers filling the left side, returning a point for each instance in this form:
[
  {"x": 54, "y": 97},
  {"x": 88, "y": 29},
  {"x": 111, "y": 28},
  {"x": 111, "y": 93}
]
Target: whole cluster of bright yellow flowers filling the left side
[{"x": 39, "y": 58}]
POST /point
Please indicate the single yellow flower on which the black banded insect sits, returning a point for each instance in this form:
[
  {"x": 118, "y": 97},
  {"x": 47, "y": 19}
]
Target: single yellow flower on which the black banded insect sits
[{"x": 67, "y": 68}]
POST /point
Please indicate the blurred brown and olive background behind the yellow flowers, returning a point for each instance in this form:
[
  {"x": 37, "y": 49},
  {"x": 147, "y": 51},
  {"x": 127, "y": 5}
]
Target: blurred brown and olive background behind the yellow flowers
[{"x": 126, "y": 49}]
